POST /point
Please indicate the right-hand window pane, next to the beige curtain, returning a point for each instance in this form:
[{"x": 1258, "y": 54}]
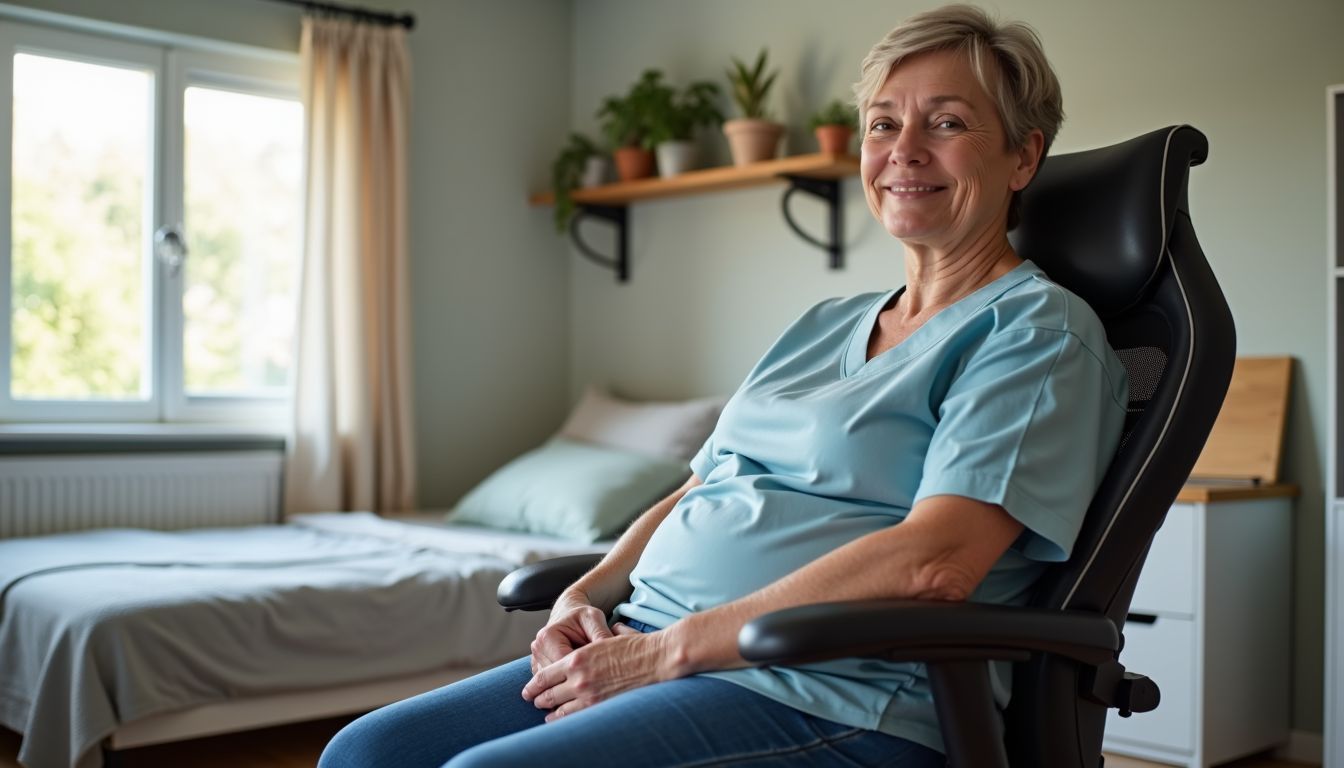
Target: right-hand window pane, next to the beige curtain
[{"x": 244, "y": 210}]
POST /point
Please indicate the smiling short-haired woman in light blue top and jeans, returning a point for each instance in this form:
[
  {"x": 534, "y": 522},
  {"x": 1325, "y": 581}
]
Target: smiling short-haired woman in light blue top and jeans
[{"x": 937, "y": 442}]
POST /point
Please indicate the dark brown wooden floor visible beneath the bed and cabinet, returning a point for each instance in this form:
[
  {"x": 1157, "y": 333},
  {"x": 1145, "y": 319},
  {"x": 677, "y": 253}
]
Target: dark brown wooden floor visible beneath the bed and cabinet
[{"x": 299, "y": 747}]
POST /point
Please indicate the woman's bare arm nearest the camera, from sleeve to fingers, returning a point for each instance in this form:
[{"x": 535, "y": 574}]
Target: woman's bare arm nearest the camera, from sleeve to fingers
[{"x": 941, "y": 551}]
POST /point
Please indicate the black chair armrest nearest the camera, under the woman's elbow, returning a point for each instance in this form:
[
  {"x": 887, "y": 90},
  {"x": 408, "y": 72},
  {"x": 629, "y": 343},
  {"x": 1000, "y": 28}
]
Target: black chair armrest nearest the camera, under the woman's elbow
[{"x": 925, "y": 631}]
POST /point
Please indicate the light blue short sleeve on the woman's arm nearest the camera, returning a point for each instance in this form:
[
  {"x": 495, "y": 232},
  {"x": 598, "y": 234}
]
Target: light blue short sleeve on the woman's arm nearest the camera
[{"x": 1032, "y": 424}]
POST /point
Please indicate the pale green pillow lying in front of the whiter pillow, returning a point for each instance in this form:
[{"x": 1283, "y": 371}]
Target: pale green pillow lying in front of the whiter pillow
[{"x": 571, "y": 490}]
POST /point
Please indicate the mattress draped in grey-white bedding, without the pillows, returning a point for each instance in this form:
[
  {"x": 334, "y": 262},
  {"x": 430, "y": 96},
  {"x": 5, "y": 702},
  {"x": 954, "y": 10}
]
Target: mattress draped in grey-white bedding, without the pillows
[{"x": 106, "y": 627}]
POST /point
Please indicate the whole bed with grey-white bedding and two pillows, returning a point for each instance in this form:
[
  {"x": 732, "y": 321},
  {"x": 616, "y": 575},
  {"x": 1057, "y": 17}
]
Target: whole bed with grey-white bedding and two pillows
[{"x": 122, "y": 638}]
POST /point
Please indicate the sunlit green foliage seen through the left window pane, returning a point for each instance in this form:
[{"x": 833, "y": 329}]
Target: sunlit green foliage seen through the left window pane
[{"x": 76, "y": 298}]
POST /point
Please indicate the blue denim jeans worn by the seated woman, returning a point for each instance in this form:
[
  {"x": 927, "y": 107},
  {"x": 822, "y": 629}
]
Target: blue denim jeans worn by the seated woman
[{"x": 691, "y": 722}]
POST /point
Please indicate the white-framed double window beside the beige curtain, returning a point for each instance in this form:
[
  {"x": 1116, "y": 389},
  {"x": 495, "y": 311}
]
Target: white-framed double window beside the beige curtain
[{"x": 151, "y": 219}]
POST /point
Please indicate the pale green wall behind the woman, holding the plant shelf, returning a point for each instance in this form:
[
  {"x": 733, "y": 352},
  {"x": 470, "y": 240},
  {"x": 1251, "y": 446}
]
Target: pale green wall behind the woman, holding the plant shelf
[{"x": 717, "y": 278}]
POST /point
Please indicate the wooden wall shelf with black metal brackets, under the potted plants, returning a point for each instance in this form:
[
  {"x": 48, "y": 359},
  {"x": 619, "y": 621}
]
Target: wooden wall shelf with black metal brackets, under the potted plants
[{"x": 818, "y": 176}]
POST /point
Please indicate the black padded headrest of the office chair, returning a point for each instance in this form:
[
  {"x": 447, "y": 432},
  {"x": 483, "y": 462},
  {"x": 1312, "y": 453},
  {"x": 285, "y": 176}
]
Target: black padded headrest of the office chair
[{"x": 1099, "y": 221}]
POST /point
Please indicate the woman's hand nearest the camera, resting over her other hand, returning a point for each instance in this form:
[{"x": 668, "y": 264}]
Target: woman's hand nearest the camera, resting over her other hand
[{"x": 600, "y": 670}]
